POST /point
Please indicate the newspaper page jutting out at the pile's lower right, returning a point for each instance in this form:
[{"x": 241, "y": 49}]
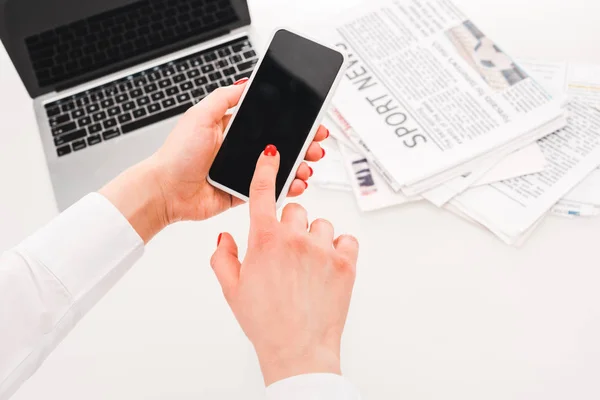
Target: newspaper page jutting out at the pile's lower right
[{"x": 510, "y": 208}]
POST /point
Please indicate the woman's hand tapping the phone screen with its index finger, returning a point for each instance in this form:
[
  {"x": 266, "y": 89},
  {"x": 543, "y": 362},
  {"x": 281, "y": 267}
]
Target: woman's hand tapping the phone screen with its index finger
[{"x": 292, "y": 291}]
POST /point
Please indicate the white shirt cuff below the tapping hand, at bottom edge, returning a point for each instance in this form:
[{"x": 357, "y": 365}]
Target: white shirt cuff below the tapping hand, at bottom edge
[{"x": 313, "y": 387}]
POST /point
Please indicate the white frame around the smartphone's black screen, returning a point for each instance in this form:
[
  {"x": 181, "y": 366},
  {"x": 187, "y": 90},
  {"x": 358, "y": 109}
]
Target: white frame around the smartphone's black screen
[{"x": 312, "y": 132}]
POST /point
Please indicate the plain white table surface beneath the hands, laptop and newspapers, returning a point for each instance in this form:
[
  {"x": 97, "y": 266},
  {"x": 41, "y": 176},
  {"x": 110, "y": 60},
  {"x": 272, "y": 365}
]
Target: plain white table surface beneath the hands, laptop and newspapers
[{"x": 441, "y": 308}]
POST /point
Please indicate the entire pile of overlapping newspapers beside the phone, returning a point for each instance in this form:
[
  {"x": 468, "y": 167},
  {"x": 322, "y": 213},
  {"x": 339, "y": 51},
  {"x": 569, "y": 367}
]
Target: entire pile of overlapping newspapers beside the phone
[{"x": 432, "y": 109}]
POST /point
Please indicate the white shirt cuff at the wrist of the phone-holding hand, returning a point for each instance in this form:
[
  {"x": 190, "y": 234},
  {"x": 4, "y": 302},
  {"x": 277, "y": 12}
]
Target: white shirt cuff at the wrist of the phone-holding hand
[{"x": 85, "y": 245}]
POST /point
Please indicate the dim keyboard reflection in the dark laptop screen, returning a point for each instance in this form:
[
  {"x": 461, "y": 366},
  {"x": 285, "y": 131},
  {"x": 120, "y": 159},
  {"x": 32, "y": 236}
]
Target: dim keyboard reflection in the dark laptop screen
[{"x": 121, "y": 34}]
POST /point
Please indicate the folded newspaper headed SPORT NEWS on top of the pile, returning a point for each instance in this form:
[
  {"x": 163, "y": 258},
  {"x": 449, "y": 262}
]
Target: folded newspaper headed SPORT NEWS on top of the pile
[{"x": 428, "y": 92}]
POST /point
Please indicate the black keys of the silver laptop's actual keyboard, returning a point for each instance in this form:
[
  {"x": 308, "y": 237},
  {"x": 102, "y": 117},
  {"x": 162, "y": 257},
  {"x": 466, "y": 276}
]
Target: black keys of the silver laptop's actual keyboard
[{"x": 125, "y": 105}]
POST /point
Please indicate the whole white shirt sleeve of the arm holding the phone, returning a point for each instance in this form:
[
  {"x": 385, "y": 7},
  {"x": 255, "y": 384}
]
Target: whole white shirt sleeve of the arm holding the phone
[{"x": 53, "y": 278}]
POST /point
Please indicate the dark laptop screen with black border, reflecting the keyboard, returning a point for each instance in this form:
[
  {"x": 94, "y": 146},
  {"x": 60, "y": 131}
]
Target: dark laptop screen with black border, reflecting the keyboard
[{"x": 56, "y": 44}]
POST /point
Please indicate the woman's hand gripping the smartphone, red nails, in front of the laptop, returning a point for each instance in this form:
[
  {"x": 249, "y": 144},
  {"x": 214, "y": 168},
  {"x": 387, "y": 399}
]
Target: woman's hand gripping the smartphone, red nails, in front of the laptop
[{"x": 171, "y": 185}]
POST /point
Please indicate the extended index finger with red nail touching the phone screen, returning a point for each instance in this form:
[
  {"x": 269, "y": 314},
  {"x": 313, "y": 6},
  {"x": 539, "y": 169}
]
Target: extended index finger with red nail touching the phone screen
[{"x": 263, "y": 187}]
